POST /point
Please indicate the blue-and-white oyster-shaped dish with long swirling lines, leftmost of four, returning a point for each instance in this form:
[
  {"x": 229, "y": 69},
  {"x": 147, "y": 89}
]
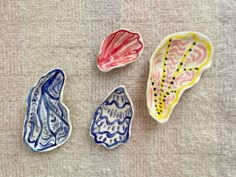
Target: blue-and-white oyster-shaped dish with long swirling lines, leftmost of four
[{"x": 47, "y": 123}]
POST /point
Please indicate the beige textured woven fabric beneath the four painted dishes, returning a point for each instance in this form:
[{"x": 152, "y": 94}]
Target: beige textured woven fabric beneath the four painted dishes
[{"x": 38, "y": 35}]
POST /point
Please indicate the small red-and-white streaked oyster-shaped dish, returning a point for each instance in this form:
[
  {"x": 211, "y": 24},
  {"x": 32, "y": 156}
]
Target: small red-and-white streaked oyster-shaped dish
[{"x": 119, "y": 49}]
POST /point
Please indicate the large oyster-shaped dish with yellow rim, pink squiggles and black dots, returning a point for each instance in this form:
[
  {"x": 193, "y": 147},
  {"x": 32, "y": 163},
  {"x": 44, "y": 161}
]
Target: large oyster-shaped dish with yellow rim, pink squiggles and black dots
[{"x": 176, "y": 65}]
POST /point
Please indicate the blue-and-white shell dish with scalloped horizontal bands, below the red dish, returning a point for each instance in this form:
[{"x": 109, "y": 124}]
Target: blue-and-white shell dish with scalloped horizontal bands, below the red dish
[{"x": 111, "y": 124}]
